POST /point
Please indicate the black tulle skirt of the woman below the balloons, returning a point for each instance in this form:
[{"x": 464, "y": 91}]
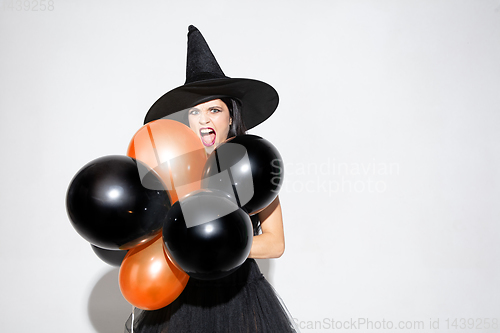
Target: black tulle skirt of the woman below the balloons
[{"x": 243, "y": 302}]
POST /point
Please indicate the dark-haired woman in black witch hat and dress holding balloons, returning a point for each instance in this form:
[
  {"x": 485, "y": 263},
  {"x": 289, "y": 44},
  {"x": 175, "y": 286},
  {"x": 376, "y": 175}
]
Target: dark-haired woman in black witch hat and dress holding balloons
[{"x": 216, "y": 108}]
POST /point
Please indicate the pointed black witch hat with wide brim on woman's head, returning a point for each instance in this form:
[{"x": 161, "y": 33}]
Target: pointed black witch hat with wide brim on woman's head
[{"x": 206, "y": 81}]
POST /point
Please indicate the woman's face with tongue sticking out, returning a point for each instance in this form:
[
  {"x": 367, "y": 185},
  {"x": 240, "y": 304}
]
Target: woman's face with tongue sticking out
[{"x": 210, "y": 121}]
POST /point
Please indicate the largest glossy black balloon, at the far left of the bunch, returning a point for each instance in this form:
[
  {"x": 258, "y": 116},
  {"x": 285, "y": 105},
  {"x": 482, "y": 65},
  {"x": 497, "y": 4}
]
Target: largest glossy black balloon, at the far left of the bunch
[{"x": 109, "y": 206}]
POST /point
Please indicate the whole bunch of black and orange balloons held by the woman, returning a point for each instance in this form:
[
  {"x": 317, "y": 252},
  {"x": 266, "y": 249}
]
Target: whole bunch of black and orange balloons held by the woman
[{"x": 165, "y": 212}]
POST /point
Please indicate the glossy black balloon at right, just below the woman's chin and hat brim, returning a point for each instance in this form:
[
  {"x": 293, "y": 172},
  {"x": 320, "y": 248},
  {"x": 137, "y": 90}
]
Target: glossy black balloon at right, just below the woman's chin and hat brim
[{"x": 248, "y": 168}]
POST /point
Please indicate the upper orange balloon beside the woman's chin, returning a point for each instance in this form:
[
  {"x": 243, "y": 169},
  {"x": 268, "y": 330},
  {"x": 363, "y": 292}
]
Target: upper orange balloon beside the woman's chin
[{"x": 174, "y": 151}]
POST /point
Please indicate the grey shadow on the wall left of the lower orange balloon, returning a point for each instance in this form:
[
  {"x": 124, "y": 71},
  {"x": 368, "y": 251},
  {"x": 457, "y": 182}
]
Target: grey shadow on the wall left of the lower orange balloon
[{"x": 107, "y": 308}]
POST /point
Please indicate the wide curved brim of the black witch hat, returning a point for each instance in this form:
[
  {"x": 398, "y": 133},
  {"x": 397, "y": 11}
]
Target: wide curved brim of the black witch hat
[{"x": 259, "y": 100}]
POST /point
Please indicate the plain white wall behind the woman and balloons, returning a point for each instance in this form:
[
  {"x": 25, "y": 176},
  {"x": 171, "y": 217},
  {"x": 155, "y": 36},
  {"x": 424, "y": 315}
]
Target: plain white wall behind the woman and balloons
[{"x": 388, "y": 125}]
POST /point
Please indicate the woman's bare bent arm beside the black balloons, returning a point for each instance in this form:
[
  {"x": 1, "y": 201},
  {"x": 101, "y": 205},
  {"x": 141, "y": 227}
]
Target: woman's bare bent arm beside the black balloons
[{"x": 271, "y": 243}]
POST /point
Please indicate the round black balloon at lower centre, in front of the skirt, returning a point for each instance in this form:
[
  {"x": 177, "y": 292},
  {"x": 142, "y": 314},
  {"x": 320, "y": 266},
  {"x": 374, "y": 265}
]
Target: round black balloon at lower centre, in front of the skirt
[{"x": 207, "y": 235}]
